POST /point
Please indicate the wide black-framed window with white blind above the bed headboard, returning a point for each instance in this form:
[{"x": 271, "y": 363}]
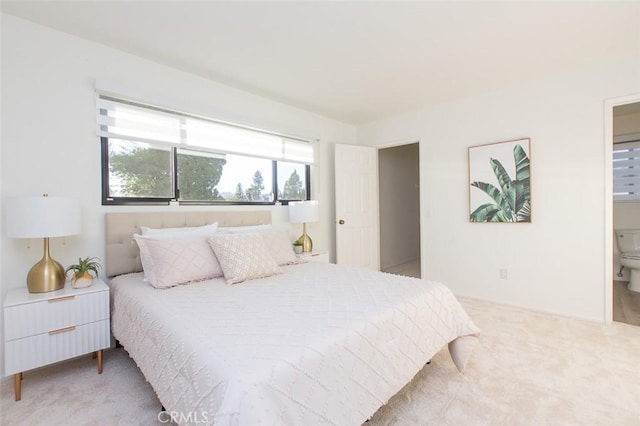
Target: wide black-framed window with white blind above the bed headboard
[{"x": 153, "y": 155}]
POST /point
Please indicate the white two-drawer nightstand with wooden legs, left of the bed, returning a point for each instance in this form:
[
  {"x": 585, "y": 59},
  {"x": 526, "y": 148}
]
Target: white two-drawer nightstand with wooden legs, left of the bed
[{"x": 43, "y": 328}]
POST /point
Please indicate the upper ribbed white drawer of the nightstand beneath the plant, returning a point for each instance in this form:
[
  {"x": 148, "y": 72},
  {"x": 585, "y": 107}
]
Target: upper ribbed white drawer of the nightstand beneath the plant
[{"x": 30, "y": 319}]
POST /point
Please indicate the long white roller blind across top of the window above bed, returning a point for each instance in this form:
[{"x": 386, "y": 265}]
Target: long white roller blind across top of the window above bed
[{"x": 121, "y": 119}]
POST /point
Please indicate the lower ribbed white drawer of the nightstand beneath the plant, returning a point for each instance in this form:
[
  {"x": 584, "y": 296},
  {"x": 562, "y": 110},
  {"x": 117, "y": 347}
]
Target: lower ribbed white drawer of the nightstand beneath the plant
[{"x": 57, "y": 345}]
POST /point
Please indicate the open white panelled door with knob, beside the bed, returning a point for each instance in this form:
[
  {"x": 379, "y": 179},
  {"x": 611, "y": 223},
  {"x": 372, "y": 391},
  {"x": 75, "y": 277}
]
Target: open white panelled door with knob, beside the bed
[{"x": 356, "y": 174}]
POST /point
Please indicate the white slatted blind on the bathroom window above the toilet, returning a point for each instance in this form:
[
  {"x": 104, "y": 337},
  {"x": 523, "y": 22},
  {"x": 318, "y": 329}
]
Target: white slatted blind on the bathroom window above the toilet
[{"x": 626, "y": 171}]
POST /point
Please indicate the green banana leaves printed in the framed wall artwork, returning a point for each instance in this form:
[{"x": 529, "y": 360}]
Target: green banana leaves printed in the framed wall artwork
[{"x": 511, "y": 197}]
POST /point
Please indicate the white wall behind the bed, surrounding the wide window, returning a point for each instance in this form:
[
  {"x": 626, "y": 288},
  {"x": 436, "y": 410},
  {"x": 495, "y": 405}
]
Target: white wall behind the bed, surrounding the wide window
[{"x": 49, "y": 142}]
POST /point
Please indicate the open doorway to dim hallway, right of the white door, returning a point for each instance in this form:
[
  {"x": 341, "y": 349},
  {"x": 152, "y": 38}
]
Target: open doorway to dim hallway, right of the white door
[{"x": 399, "y": 197}]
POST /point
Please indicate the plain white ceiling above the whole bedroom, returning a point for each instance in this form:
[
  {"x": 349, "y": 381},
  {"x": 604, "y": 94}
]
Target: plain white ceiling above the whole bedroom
[{"x": 355, "y": 61}]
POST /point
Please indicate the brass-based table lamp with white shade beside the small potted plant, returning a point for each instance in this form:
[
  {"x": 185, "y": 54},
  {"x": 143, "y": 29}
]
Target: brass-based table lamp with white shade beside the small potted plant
[{"x": 43, "y": 217}]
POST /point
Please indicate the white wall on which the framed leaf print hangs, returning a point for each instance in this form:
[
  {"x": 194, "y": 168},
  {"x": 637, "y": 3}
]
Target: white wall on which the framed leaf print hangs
[{"x": 556, "y": 263}]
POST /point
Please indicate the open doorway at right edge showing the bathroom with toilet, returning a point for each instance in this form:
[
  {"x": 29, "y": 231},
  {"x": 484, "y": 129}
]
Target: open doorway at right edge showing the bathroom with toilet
[{"x": 626, "y": 209}]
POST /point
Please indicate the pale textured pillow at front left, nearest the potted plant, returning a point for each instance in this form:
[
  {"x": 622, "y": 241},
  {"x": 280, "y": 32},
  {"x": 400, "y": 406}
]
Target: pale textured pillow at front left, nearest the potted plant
[{"x": 169, "y": 262}]
